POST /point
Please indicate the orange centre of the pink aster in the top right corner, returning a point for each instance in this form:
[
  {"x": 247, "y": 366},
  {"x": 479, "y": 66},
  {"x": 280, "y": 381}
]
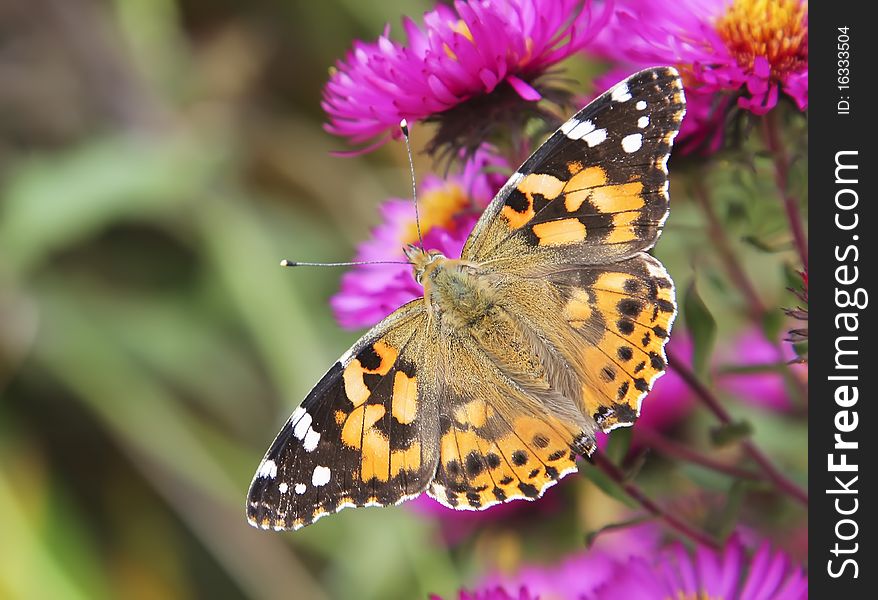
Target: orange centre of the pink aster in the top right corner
[{"x": 775, "y": 29}]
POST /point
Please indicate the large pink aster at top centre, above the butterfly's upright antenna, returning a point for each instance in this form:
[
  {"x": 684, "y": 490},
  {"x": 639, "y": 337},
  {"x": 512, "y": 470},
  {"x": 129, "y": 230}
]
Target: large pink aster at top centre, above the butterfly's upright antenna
[{"x": 470, "y": 51}]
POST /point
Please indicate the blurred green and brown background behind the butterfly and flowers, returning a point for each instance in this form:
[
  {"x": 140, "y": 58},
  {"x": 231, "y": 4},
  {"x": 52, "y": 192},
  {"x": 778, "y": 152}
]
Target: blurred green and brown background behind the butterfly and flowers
[{"x": 157, "y": 159}]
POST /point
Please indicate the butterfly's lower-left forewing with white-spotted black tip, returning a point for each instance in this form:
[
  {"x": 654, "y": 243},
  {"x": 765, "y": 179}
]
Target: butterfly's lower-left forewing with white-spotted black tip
[{"x": 365, "y": 435}]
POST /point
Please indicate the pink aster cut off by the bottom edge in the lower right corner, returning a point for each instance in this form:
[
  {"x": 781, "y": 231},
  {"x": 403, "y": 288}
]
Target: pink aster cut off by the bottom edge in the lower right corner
[{"x": 728, "y": 574}]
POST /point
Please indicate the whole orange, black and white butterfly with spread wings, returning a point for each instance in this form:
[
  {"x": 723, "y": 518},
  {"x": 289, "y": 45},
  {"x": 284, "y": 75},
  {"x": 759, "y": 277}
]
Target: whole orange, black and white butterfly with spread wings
[{"x": 549, "y": 328}]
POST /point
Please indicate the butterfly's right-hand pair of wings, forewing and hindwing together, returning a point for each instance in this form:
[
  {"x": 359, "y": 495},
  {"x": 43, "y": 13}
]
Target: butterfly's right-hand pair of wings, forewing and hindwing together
[{"x": 572, "y": 224}]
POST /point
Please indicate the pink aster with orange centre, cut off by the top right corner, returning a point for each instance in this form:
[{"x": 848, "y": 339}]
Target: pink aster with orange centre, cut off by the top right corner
[{"x": 752, "y": 49}]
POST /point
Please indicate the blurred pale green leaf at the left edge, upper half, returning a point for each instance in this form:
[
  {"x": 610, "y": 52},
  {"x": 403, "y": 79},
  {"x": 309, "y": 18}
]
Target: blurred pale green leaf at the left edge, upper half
[{"x": 54, "y": 201}]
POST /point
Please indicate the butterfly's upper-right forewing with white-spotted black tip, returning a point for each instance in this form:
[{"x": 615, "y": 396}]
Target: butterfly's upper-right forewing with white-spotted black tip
[{"x": 597, "y": 190}]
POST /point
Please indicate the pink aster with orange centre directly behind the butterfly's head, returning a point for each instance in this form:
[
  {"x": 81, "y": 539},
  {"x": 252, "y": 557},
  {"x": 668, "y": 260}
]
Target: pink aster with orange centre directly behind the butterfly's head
[{"x": 449, "y": 208}]
